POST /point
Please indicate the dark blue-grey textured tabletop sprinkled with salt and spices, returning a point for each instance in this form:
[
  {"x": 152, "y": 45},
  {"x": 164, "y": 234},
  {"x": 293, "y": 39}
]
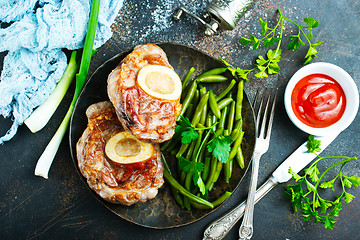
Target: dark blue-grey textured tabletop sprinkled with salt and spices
[{"x": 62, "y": 207}]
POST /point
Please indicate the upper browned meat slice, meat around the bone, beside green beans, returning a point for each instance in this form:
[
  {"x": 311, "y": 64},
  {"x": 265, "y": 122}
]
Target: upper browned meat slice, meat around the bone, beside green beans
[{"x": 149, "y": 118}]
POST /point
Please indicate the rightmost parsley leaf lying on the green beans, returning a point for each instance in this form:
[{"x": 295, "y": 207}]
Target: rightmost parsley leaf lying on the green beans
[{"x": 220, "y": 148}]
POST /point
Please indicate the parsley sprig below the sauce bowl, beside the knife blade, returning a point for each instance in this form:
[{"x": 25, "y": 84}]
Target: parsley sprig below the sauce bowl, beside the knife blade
[{"x": 308, "y": 198}]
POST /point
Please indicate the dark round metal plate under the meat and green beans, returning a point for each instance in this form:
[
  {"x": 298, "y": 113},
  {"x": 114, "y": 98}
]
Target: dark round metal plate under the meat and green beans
[{"x": 162, "y": 212}]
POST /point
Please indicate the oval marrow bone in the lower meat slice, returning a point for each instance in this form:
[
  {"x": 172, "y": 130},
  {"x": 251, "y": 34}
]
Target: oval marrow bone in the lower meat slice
[{"x": 124, "y": 148}]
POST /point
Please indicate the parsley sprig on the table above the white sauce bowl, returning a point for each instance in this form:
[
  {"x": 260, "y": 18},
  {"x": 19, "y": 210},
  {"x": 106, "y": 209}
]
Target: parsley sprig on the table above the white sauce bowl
[{"x": 268, "y": 64}]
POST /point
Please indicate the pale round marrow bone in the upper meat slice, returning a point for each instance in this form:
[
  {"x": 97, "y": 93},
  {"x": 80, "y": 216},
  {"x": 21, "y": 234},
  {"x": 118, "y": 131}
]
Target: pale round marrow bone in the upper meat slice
[{"x": 160, "y": 82}]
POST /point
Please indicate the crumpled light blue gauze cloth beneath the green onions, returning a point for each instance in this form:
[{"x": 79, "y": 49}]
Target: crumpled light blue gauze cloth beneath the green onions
[{"x": 35, "y": 61}]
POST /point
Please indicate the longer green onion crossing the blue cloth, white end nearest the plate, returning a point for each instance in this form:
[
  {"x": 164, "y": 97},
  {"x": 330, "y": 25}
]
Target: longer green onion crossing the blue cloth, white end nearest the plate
[{"x": 46, "y": 159}]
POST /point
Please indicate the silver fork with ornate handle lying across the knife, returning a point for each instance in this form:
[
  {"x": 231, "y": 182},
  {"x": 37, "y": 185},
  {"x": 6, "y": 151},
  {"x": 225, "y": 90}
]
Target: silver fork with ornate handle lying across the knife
[{"x": 263, "y": 133}]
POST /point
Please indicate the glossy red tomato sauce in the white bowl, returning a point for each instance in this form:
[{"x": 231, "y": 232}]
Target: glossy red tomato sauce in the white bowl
[{"x": 318, "y": 100}]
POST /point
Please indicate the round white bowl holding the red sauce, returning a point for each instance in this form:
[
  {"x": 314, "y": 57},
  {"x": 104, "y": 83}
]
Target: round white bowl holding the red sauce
[{"x": 347, "y": 84}]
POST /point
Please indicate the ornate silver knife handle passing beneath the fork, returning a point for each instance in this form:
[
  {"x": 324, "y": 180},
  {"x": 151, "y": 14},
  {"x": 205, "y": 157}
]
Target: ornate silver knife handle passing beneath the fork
[{"x": 219, "y": 228}]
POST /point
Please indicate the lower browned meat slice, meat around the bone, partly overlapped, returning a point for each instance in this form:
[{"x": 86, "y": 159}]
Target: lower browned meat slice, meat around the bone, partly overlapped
[{"x": 118, "y": 183}]
